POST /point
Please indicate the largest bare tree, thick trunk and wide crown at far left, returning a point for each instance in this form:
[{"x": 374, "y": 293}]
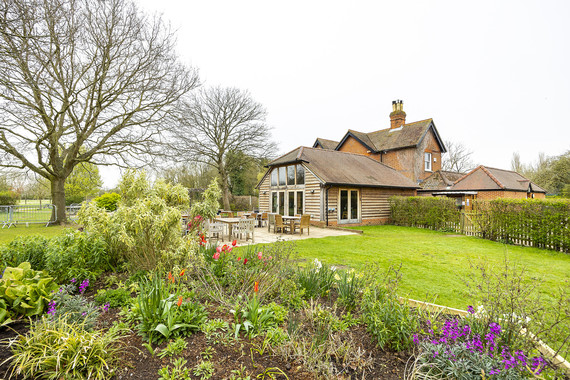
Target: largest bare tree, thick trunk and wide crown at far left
[{"x": 84, "y": 81}]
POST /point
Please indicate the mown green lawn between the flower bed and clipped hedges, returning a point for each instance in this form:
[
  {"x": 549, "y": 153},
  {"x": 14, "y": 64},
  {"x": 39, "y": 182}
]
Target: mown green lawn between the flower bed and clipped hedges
[{"x": 433, "y": 263}]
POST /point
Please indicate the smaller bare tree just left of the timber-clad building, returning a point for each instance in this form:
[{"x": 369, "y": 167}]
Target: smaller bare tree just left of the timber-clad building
[{"x": 221, "y": 120}]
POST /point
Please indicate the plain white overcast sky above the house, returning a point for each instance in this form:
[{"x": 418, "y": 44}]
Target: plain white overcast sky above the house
[{"x": 493, "y": 75}]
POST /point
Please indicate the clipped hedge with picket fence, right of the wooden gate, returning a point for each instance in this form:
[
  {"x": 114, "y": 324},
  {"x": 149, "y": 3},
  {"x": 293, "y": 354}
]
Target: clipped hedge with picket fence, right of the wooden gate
[{"x": 533, "y": 222}]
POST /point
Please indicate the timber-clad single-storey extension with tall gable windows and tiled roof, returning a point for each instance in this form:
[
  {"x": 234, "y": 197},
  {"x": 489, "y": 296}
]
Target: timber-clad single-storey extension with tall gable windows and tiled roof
[{"x": 334, "y": 187}]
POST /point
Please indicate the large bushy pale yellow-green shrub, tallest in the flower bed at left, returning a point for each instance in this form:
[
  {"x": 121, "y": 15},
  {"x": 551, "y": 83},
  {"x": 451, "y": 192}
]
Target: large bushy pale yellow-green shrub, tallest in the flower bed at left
[{"x": 145, "y": 231}]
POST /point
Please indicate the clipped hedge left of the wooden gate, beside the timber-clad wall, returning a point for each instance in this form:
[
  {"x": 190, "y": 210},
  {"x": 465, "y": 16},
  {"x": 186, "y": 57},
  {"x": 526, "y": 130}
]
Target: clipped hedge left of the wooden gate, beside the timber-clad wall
[{"x": 428, "y": 212}]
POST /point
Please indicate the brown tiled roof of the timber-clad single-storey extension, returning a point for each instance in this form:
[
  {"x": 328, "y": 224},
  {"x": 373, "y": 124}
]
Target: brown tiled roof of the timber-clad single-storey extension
[{"x": 340, "y": 168}]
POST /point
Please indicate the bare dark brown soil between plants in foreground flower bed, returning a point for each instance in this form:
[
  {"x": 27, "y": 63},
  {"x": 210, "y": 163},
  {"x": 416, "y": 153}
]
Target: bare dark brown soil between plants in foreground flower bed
[{"x": 138, "y": 363}]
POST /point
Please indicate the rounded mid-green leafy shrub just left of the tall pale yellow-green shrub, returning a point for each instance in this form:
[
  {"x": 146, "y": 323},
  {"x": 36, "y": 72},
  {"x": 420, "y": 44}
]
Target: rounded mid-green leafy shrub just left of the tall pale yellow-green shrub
[{"x": 76, "y": 254}]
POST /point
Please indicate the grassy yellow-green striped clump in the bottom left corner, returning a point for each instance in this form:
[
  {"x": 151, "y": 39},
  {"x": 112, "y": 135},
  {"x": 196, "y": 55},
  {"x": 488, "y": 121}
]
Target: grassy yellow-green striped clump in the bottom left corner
[{"x": 60, "y": 349}]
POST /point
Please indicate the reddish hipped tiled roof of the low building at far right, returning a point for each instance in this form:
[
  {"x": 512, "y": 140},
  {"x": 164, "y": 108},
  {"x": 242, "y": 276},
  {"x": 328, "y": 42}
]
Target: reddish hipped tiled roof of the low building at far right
[{"x": 485, "y": 178}]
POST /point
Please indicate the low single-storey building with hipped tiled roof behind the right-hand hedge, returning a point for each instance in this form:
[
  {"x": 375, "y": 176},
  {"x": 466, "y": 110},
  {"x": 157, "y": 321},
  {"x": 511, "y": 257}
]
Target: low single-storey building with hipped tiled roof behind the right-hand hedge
[{"x": 485, "y": 183}]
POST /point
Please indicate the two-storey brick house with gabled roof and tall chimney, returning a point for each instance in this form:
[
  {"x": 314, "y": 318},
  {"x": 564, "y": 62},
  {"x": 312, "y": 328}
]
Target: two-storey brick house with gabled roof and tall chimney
[{"x": 414, "y": 149}]
